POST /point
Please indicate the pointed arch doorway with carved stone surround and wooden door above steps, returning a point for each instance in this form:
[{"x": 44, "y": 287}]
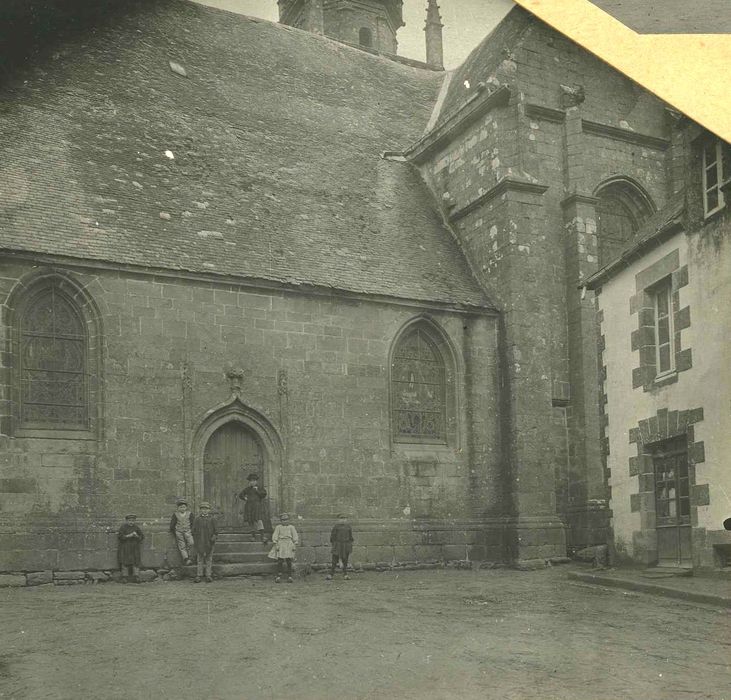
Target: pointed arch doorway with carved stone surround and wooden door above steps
[{"x": 231, "y": 442}]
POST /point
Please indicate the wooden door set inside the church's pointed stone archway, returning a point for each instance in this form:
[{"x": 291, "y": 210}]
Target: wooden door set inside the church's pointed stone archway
[{"x": 232, "y": 453}]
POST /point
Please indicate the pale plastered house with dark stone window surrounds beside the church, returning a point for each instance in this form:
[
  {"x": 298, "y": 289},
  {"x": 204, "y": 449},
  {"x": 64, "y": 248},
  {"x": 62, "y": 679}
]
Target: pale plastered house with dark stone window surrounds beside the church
[{"x": 664, "y": 353}]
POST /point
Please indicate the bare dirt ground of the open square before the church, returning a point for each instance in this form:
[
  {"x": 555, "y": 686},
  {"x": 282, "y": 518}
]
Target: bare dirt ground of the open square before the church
[{"x": 423, "y": 634}]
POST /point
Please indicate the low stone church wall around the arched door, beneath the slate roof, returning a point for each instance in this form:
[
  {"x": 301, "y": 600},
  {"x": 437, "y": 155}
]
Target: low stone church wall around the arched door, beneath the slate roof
[{"x": 312, "y": 376}]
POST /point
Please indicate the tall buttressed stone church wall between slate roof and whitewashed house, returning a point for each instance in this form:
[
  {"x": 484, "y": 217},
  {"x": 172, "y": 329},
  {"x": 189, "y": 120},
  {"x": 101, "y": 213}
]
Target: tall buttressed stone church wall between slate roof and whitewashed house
[{"x": 517, "y": 168}]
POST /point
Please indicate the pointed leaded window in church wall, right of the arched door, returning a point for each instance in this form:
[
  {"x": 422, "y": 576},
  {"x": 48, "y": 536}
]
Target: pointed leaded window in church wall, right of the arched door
[{"x": 418, "y": 390}]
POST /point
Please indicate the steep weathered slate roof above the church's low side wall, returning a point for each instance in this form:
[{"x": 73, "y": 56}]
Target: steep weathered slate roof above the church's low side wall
[{"x": 276, "y": 136}]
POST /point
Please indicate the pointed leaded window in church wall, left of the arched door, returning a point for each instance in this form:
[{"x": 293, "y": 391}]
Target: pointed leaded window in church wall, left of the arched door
[{"x": 52, "y": 365}]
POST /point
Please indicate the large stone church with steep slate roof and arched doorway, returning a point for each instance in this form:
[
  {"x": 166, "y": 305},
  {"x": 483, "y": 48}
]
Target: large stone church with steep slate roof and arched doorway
[{"x": 229, "y": 245}]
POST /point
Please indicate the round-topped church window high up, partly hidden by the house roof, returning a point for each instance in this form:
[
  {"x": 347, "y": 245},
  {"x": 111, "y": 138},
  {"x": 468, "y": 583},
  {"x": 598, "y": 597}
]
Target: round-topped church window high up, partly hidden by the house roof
[{"x": 621, "y": 210}]
